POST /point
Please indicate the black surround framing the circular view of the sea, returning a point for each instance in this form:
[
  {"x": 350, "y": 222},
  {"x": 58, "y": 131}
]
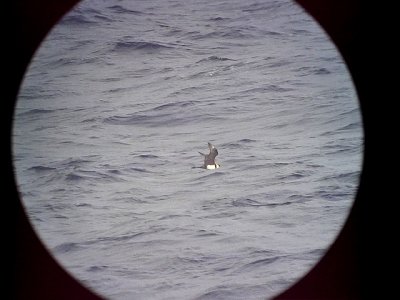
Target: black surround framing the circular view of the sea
[{"x": 355, "y": 267}]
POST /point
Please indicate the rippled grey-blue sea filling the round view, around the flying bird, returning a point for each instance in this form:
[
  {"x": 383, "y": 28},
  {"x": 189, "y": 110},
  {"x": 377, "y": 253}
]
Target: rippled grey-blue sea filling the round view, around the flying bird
[{"x": 116, "y": 105}]
